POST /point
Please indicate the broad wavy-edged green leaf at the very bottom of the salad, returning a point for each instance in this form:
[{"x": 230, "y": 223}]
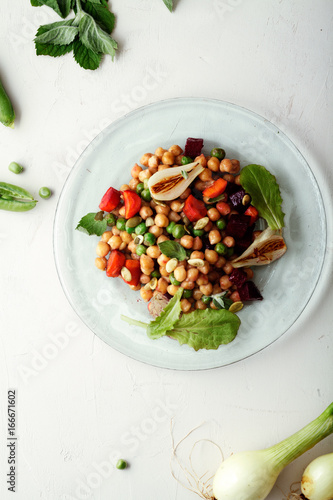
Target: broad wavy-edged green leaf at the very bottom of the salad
[{"x": 206, "y": 329}]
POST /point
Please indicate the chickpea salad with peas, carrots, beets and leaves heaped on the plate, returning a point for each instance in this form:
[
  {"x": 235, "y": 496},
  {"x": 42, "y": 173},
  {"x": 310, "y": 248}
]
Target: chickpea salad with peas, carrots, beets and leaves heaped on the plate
[{"x": 183, "y": 233}]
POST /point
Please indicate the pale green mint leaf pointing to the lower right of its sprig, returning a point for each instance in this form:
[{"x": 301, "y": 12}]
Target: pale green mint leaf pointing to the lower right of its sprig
[{"x": 94, "y": 38}]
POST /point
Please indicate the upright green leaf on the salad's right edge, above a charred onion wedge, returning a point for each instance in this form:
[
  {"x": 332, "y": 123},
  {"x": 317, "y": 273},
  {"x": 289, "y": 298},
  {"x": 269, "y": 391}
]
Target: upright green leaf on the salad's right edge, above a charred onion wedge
[{"x": 265, "y": 193}]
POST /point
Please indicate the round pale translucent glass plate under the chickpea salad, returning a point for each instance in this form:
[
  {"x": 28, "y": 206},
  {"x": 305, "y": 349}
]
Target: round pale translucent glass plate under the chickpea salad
[{"x": 286, "y": 285}]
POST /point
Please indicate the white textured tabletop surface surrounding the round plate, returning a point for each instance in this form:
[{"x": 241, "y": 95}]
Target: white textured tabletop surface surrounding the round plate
[{"x": 89, "y": 404}]
